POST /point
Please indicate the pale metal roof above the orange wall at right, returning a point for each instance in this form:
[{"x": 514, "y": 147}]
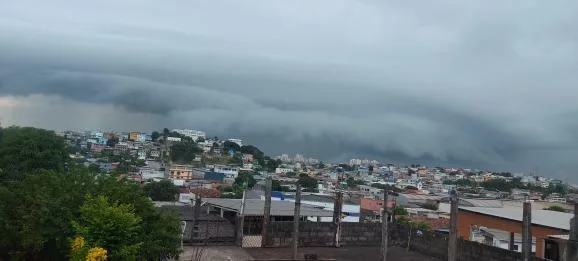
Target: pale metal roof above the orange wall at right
[{"x": 546, "y": 218}]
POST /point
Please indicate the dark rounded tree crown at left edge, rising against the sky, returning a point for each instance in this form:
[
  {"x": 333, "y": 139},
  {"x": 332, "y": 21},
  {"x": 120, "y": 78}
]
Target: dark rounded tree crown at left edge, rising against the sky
[{"x": 24, "y": 149}]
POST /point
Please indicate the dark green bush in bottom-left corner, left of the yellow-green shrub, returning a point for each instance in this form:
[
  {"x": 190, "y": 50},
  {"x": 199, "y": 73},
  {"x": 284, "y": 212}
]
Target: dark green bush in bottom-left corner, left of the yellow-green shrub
[{"x": 36, "y": 210}]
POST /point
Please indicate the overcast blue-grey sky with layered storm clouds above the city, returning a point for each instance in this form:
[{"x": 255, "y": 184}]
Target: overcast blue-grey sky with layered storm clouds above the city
[{"x": 484, "y": 84}]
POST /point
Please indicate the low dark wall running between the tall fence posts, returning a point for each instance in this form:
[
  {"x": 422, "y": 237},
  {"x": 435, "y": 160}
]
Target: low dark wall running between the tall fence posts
[{"x": 431, "y": 243}]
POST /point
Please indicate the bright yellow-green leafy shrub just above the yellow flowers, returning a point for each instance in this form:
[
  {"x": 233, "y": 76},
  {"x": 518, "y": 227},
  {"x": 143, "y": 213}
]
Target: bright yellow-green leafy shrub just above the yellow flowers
[{"x": 115, "y": 227}]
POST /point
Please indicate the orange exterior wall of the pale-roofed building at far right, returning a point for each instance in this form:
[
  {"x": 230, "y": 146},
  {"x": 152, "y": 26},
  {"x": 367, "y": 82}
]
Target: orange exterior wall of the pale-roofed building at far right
[{"x": 468, "y": 219}]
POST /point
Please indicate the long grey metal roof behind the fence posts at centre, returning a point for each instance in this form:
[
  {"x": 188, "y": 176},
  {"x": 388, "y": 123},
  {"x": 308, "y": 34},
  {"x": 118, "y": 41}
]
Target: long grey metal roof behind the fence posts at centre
[{"x": 254, "y": 207}]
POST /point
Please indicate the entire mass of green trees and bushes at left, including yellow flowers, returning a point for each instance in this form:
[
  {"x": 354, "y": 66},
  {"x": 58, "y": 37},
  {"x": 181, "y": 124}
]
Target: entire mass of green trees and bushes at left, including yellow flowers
[{"x": 55, "y": 209}]
